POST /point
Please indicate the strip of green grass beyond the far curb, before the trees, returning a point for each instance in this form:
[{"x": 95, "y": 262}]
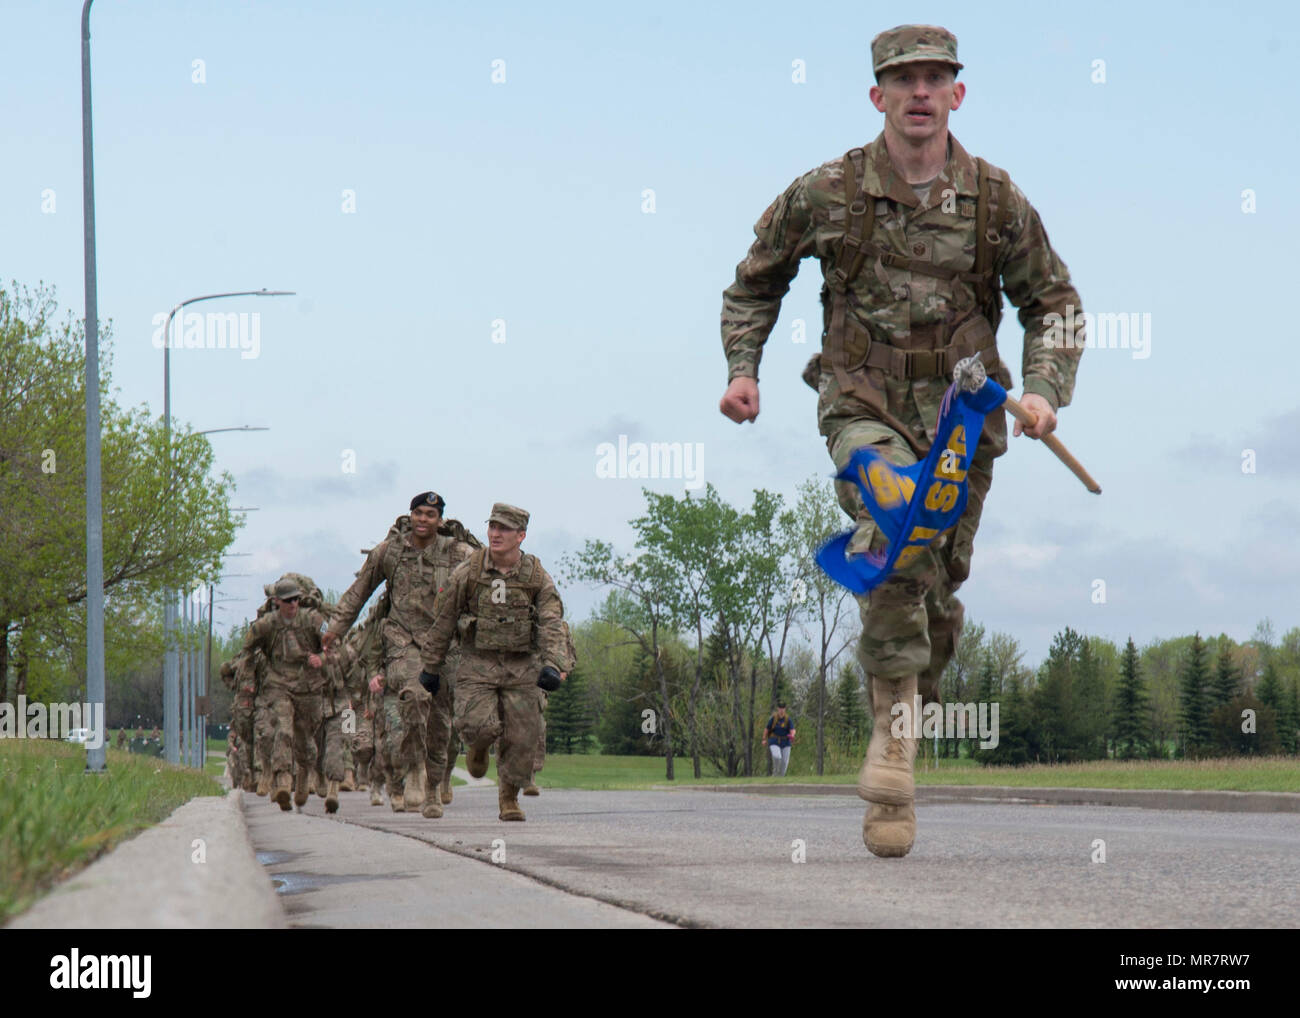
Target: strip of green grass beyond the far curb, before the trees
[{"x": 1272, "y": 774}]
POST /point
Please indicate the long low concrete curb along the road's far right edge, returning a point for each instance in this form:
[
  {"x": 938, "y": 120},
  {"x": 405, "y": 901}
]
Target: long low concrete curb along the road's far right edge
[{"x": 1147, "y": 799}]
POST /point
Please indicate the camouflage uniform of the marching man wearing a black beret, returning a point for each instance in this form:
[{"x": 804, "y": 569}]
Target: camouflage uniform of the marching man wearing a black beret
[{"x": 413, "y": 578}]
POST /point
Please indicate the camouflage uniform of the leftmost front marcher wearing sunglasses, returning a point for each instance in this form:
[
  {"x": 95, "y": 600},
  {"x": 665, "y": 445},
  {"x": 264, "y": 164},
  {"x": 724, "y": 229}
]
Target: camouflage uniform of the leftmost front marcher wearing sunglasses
[{"x": 292, "y": 692}]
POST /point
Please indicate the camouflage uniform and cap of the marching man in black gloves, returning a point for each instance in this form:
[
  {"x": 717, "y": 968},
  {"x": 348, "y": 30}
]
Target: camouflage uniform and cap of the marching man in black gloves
[{"x": 510, "y": 626}]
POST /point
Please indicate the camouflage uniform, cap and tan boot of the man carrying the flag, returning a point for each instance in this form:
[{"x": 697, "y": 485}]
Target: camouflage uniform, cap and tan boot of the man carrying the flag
[{"x": 915, "y": 280}]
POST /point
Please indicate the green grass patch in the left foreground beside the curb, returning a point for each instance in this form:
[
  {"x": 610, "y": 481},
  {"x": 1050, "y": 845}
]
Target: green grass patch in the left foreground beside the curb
[{"x": 55, "y": 818}]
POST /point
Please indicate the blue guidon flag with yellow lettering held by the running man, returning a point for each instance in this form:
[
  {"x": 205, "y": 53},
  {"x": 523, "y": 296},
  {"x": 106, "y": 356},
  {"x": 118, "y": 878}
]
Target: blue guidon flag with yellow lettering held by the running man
[{"x": 911, "y": 523}]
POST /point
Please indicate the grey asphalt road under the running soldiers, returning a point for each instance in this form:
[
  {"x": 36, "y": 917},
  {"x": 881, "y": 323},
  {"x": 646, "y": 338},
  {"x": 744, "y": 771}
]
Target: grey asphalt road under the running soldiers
[{"x": 729, "y": 860}]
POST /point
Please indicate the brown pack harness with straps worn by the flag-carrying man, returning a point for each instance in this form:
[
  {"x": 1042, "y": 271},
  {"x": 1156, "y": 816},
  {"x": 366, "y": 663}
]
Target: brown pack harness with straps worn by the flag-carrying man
[{"x": 929, "y": 352}]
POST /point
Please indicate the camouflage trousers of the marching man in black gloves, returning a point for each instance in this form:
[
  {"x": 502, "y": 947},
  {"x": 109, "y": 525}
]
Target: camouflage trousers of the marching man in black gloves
[{"x": 497, "y": 700}]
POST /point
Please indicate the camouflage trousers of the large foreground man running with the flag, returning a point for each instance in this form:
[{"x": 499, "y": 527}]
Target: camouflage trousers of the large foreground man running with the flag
[{"x": 911, "y": 623}]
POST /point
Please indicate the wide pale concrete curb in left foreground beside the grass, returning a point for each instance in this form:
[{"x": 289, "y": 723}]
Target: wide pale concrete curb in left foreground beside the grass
[{"x": 163, "y": 881}]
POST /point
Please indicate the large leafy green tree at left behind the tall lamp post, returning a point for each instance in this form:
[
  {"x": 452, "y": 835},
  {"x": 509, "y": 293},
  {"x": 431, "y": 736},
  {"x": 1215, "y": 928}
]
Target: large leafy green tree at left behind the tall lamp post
[{"x": 166, "y": 521}]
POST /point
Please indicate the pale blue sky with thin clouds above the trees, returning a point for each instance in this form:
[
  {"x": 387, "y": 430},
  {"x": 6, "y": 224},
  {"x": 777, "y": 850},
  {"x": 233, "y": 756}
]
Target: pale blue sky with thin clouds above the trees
[{"x": 519, "y": 203}]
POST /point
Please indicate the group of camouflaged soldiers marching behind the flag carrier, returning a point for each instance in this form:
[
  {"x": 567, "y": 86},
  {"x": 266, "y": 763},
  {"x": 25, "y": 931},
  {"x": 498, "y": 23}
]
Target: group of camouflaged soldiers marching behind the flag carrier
[{"x": 463, "y": 644}]
